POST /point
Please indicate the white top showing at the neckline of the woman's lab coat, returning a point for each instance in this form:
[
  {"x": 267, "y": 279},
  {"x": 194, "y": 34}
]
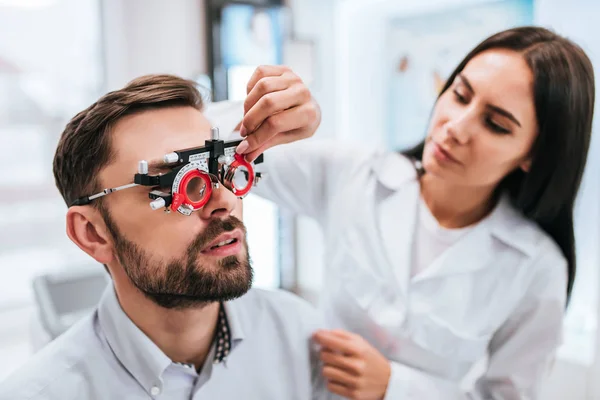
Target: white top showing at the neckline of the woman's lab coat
[{"x": 432, "y": 239}]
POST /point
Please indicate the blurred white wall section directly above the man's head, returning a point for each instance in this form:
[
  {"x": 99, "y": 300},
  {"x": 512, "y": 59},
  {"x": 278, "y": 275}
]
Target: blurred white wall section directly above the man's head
[{"x": 150, "y": 36}]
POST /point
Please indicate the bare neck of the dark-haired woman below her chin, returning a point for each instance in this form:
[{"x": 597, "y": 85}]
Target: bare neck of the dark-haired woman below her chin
[{"x": 456, "y": 206}]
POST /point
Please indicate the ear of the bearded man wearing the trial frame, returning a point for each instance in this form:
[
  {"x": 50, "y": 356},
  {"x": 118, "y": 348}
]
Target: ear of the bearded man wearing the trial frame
[{"x": 86, "y": 228}]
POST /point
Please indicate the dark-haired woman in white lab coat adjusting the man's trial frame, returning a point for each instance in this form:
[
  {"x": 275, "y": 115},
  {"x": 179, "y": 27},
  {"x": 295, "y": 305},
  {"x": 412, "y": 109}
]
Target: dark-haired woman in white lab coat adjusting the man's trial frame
[{"x": 460, "y": 249}]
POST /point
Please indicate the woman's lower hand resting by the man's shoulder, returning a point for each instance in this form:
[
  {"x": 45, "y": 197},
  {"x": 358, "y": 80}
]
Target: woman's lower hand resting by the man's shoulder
[{"x": 352, "y": 367}]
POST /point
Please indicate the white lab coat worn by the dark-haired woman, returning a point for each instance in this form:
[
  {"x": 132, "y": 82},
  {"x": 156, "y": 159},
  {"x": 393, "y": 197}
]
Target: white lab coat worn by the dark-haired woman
[{"x": 497, "y": 294}]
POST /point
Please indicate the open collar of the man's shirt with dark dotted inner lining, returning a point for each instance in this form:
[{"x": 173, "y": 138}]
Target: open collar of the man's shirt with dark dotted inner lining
[{"x": 140, "y": 355}]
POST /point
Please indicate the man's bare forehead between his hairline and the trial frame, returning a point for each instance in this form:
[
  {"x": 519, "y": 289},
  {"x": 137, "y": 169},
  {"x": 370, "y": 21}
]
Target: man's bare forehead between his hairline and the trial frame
[{"x": 152, "y": 134}]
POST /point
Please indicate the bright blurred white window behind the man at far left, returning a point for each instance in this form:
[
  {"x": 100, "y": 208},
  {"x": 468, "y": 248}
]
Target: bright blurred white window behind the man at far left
[{"x": 50, "y": 68}]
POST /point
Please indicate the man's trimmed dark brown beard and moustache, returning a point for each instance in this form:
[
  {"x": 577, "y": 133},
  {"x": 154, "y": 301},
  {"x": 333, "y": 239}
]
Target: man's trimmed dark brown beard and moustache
[{"x": 182, "y": 282}]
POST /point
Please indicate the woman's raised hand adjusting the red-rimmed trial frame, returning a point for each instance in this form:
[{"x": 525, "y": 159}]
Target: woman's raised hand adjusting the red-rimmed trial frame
[{"x": 278, "y": 109}]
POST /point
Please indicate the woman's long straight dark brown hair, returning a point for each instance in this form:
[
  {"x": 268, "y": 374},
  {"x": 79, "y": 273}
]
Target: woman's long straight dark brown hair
[{"x": 564, "y": 103}]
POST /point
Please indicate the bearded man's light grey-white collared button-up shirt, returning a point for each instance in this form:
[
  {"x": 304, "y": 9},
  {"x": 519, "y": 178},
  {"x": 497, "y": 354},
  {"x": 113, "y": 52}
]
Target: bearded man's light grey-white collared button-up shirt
[{"x": 107, "y": 357}]
